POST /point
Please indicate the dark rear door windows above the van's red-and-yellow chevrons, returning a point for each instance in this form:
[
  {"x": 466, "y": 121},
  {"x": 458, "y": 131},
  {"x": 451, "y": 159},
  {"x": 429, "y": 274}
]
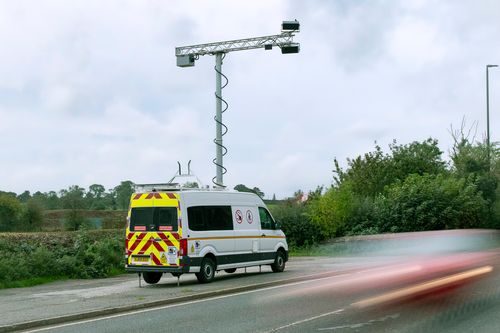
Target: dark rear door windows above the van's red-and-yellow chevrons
[{"x": 153, "y": 219}]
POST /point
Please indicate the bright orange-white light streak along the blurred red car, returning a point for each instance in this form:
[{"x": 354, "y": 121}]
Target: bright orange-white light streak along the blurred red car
[{"x": 423, "y": 287}]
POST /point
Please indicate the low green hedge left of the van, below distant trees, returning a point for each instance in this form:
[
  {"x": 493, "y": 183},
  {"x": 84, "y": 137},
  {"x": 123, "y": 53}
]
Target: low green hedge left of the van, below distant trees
[{"x": 82, "y": 254}]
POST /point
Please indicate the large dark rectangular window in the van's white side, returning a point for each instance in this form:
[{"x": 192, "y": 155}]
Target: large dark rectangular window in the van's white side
[{"x": 202, "y": 218}]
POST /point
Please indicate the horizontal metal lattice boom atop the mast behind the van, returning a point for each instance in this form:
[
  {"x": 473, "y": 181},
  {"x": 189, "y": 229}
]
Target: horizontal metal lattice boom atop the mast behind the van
[{"x": 283, "y": 39}]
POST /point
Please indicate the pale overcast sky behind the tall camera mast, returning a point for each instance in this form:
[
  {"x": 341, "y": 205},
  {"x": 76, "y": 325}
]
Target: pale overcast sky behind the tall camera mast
[{"x": 90, "y": 92}]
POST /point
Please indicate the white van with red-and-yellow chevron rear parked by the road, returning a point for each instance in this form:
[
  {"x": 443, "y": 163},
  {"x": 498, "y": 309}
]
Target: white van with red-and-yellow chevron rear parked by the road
[{"x": 201, "y": 232}]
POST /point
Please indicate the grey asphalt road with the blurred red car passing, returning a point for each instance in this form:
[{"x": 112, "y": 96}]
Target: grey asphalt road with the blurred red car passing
[{"x": 409, "y": 297}]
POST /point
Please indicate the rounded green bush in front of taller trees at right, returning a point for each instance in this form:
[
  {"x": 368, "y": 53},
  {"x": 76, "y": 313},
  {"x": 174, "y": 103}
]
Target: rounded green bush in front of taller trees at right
[{"x": 430, "y": 202}]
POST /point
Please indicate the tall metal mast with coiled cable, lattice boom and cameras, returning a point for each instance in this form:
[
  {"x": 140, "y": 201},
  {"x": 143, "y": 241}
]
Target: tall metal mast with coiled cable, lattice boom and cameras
[{"x": 187, "y": 55}]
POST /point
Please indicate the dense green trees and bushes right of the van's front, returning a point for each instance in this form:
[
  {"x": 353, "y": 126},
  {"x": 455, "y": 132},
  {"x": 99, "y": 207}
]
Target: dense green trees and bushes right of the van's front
[{"x": 409, "y": 188}]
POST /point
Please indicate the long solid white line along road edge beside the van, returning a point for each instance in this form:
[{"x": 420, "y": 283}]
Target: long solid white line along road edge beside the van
[{"x": 177, "y": 305}]
